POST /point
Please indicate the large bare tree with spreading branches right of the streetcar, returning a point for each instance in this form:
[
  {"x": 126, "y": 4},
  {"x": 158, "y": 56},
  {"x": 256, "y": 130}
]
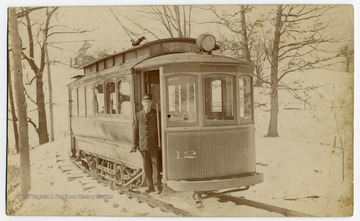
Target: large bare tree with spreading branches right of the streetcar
[{"x": 298, "y": 43}]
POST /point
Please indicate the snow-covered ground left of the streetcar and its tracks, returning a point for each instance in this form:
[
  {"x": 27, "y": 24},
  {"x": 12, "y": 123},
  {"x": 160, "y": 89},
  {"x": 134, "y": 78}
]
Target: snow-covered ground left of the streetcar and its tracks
[{"x": 52, "y": 194}]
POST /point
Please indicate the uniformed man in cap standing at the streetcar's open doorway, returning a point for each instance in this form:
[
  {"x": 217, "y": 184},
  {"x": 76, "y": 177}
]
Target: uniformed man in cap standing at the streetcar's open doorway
[{"x": 146, "y": 140}]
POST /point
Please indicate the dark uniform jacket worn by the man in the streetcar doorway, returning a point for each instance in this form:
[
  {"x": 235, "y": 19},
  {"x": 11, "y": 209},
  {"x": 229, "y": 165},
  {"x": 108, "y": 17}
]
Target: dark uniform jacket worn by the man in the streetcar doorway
[{"x": 145, "y": 131}]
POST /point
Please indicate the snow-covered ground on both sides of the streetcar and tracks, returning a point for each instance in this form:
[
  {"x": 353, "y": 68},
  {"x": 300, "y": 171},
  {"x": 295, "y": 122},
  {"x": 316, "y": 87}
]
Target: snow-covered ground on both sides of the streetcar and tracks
[{"x": 302, "y": 169}]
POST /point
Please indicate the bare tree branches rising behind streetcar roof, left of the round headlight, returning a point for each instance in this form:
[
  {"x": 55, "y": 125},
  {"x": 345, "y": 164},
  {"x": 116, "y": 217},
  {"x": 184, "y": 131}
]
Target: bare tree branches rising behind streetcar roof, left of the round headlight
[{"x": 175, "y": 19}]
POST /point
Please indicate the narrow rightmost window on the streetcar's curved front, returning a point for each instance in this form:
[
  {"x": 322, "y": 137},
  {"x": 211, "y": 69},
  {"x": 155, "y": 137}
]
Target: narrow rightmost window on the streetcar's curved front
[{"x": 245, "y": 99}]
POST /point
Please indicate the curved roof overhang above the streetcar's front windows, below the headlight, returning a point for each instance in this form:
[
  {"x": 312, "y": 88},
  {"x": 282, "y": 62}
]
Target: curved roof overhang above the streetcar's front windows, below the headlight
[{"x": 190, "y": 57}]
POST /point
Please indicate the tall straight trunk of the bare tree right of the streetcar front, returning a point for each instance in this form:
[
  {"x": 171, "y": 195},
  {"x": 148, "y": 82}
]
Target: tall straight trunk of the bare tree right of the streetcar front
[{"x": 273, "y": 130}]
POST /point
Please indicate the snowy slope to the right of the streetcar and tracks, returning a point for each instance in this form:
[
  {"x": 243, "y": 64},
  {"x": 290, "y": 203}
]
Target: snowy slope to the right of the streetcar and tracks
[{"x": 302, "y": 169}]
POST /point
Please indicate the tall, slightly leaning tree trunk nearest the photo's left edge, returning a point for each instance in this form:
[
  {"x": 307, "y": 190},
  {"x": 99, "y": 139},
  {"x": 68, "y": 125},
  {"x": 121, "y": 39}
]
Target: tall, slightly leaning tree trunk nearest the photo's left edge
[{"x": 20, "y": 104}]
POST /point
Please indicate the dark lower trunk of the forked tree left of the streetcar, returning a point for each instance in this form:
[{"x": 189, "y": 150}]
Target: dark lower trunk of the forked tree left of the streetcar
[{"x": 40, "y": 100}]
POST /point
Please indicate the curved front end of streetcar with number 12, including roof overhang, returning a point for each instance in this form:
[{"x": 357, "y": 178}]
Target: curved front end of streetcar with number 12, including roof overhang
[{"x": 207, "y": 123}]
